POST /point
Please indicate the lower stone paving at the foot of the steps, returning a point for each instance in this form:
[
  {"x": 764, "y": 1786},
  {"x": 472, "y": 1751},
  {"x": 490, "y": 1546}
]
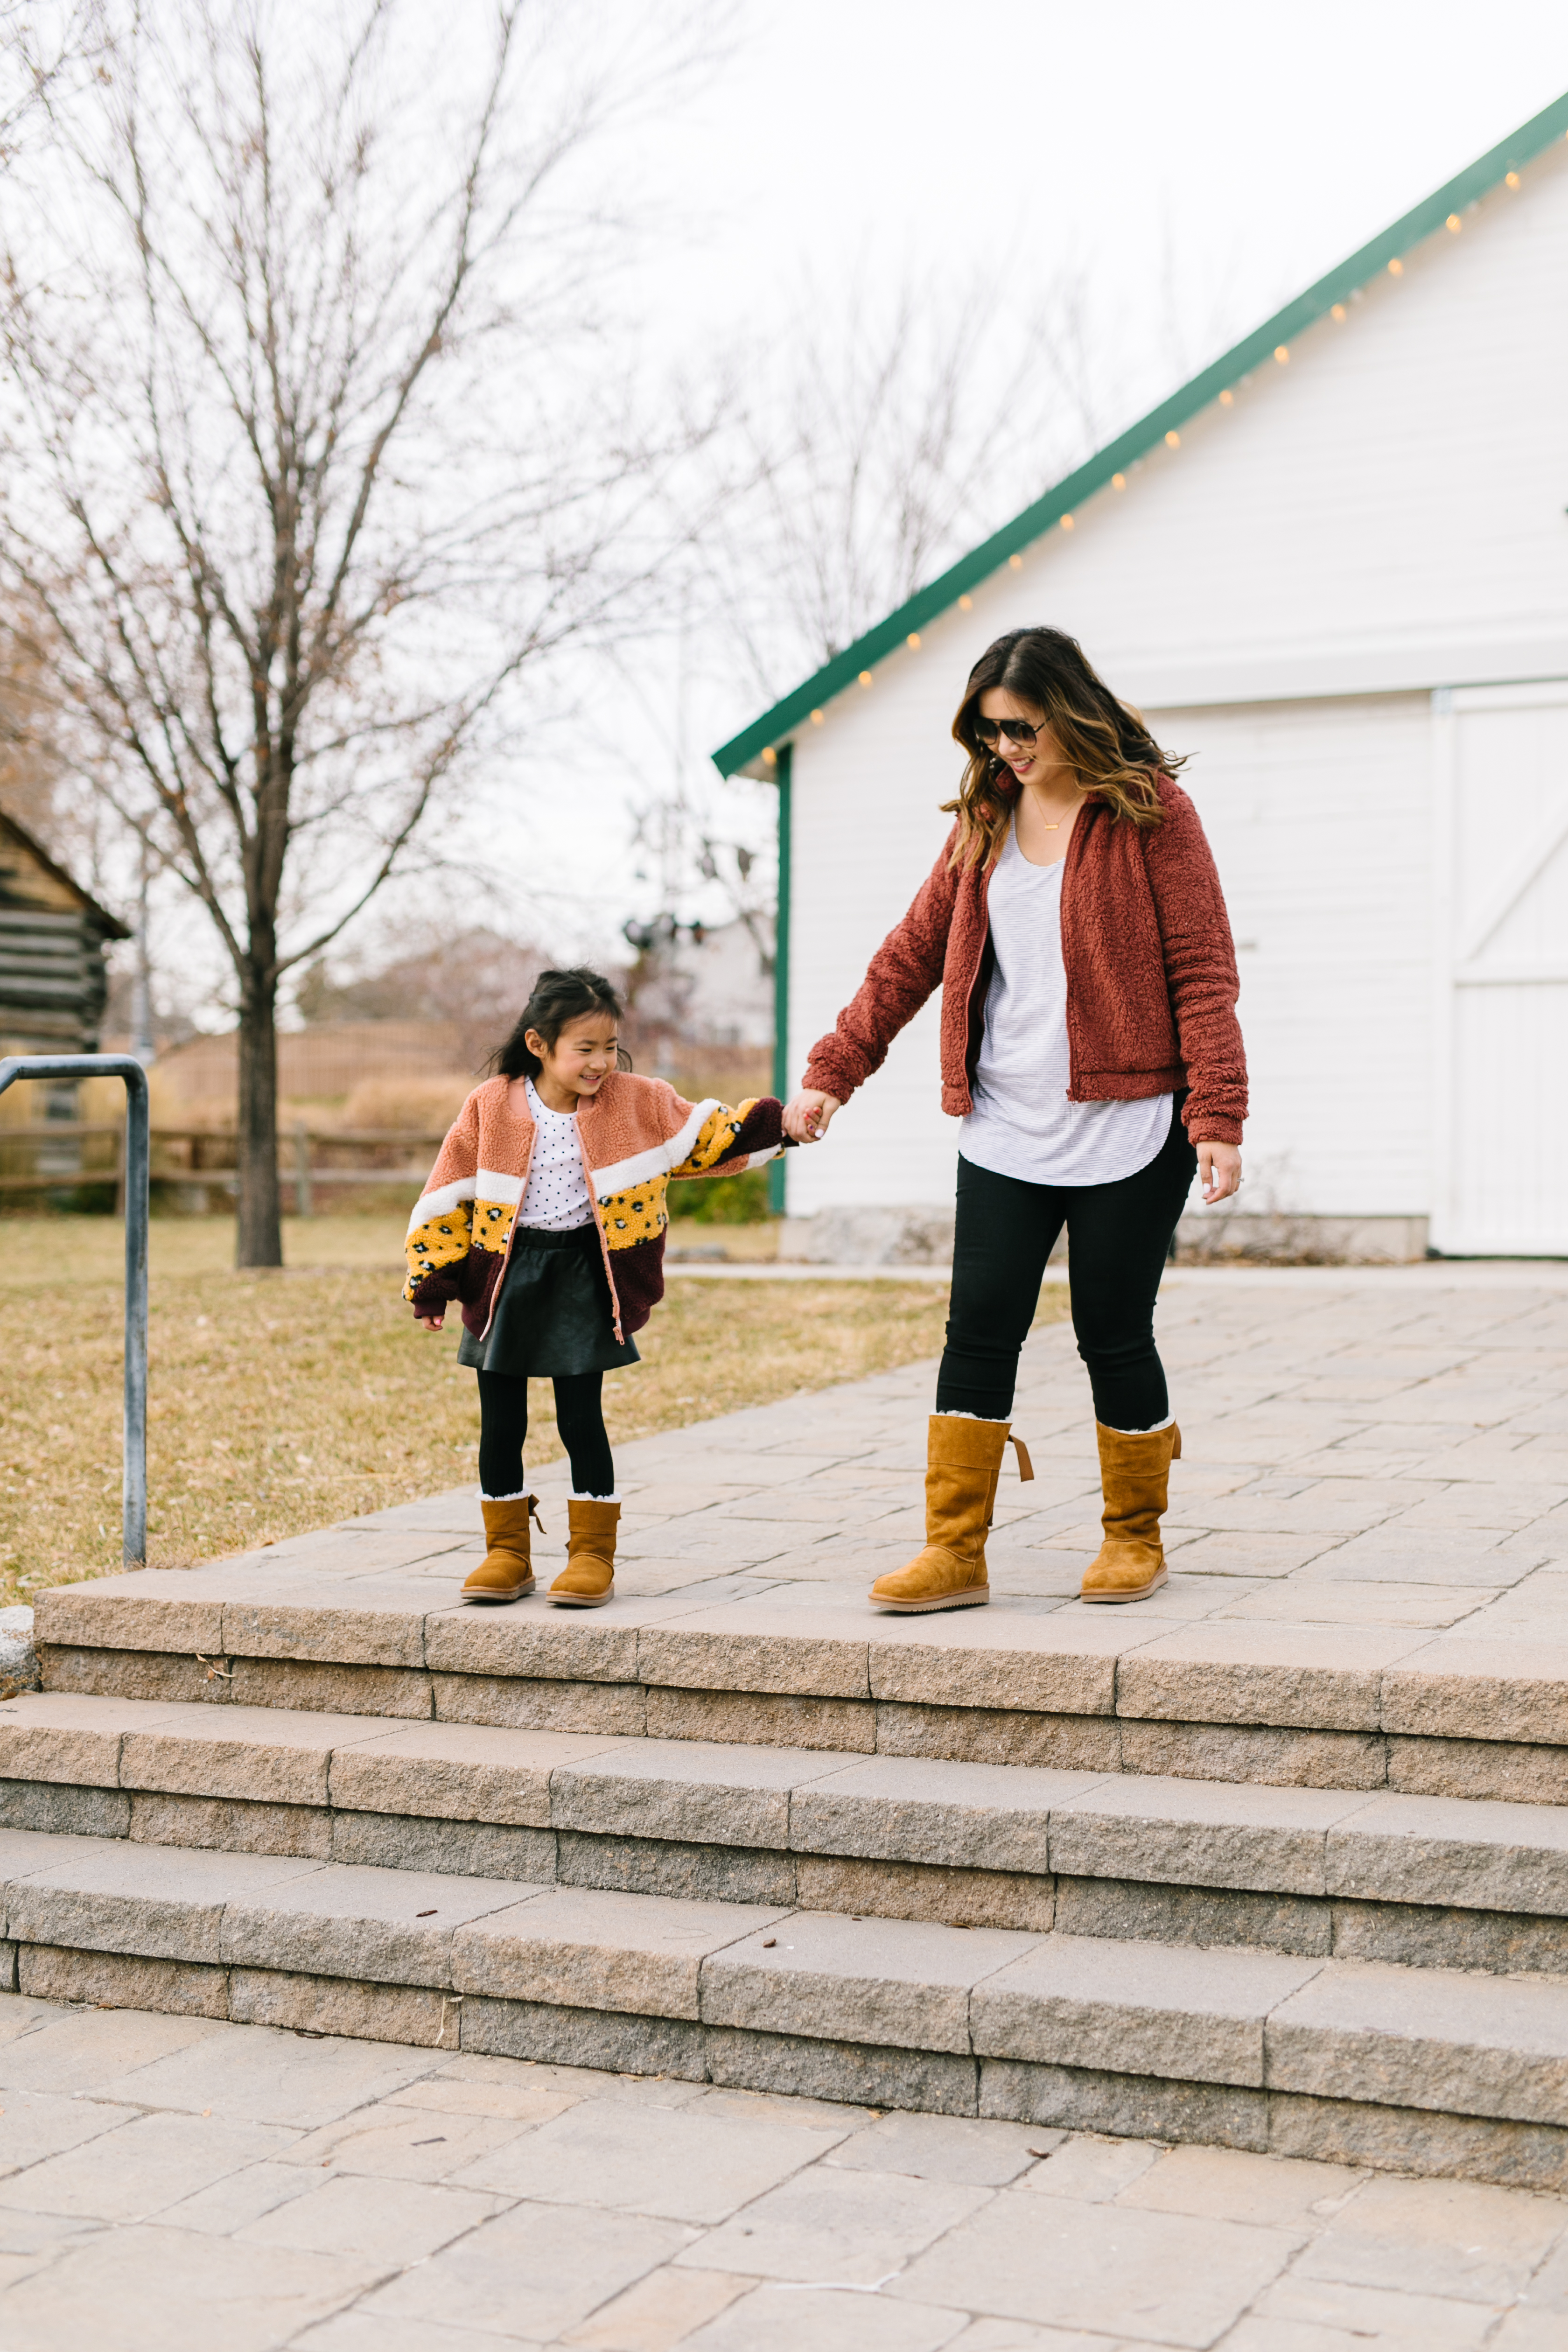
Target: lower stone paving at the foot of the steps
[{"x": 177, "y": 2184}]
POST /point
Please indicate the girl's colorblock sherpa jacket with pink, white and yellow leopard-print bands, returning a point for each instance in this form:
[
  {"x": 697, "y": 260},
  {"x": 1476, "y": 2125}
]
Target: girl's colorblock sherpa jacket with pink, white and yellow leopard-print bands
[{"x": 636, "y": 1135}]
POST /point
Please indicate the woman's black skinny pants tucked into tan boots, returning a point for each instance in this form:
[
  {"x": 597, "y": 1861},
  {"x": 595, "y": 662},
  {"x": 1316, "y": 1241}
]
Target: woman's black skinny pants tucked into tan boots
[{"x": 1118, "y": 1243}]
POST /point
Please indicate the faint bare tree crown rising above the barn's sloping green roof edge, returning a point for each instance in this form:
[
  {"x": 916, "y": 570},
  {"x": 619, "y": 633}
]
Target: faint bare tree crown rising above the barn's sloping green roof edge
[{"x": 883, "y": 434}]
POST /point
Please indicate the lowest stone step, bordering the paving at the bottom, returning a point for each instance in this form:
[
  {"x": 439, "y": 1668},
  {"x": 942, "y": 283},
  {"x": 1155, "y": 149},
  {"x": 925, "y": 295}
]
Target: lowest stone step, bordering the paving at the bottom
[{"x": 1423, "y": 2071}]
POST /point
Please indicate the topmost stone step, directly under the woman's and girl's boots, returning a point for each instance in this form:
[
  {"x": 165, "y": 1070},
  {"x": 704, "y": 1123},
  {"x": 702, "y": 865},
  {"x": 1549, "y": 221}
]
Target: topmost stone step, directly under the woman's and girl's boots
[{"x": 368, "y": 1624}]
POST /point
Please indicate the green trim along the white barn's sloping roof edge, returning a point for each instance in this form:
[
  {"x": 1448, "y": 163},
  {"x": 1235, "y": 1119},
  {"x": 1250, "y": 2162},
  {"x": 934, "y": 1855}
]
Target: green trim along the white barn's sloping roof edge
[{"x": 1115, "y": 457}]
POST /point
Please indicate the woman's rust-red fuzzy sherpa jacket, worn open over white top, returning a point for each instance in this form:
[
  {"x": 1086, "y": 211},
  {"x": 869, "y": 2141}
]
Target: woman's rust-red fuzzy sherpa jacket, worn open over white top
[{"x": 1151, "y": 975}]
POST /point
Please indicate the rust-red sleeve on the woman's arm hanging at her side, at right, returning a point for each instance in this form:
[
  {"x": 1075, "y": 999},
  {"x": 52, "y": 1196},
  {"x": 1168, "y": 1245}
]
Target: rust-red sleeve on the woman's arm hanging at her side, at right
[{"x": 1200, "y": 970}]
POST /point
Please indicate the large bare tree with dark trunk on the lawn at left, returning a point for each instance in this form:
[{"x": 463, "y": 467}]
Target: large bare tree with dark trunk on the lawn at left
[{"x": 309, "y": 467}]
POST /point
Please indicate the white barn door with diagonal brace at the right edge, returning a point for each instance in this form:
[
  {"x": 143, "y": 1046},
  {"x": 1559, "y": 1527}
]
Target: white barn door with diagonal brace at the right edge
[{"x": 1501, "y": 970}]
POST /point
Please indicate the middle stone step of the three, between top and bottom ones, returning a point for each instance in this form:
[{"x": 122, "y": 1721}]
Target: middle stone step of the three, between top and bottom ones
[{"x": 1318, "y": 1873}]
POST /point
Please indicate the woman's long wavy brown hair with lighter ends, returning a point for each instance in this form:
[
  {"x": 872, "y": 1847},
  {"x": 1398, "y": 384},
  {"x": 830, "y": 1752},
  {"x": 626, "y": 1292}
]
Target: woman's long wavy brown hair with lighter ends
[{"x": 1113, "y": 754}]
